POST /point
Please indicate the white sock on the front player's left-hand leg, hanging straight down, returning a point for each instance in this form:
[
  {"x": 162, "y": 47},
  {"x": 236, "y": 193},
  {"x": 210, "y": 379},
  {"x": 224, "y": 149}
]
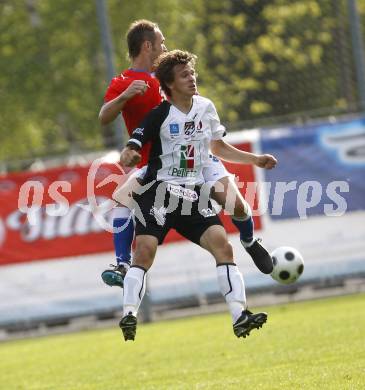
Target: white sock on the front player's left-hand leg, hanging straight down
[{"x": 134, "y": 289}]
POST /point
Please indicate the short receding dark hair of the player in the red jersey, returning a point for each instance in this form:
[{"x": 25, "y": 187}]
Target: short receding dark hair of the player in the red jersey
[{"x": 139, "y": 32}]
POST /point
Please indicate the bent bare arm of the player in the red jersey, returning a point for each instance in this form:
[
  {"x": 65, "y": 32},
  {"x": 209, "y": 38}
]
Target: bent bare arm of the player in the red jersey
[{"x": 110, "y": 110}]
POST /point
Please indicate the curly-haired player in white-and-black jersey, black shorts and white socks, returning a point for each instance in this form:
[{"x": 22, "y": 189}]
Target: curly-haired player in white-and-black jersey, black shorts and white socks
[{"x": 181, "y": 132}]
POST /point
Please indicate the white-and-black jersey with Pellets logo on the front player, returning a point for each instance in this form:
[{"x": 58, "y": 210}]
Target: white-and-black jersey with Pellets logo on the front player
[{"x": 180, "y": 142}]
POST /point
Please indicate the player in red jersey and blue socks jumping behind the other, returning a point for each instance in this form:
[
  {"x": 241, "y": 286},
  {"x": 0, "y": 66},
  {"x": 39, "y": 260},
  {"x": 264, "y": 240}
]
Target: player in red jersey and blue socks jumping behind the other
[{"x": 128, "y": 94}]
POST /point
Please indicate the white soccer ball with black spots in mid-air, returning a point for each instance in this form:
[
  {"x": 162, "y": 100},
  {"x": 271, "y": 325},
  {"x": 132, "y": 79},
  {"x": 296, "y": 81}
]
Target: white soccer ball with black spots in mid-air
[{"x": 288, "y": 265}]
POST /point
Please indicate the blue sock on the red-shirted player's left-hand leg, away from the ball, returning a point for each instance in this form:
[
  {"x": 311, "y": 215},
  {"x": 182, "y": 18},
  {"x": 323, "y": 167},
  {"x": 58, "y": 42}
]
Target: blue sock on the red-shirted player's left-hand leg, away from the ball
[{"x": 123, "y": 239}]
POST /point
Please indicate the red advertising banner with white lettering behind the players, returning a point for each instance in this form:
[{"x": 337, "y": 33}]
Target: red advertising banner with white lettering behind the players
[{"x": 50, "y": 214}]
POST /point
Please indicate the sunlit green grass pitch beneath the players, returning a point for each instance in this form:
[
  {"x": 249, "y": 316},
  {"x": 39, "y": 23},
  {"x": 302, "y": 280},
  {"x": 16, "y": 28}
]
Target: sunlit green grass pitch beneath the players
[{"x": 311, "y": 345}]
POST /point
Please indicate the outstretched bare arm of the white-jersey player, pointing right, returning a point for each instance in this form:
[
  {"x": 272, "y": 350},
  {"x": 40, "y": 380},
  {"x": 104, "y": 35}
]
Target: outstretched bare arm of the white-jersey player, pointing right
[{"x": 229, "y": 153}]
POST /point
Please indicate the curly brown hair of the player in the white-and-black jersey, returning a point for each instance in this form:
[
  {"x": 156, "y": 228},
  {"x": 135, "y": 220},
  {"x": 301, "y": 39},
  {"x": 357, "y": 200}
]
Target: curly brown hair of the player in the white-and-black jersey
[{"x": 164, "y": 66}]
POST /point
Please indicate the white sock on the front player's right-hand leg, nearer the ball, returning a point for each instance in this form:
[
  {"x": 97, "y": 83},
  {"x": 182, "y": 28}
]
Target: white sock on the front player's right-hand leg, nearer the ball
[{"x": 232, "y": 287}]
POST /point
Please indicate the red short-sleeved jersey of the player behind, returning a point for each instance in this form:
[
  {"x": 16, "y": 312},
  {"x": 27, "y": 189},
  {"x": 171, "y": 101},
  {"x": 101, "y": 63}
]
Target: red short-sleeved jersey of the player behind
[{"x": 135, "y": 109}]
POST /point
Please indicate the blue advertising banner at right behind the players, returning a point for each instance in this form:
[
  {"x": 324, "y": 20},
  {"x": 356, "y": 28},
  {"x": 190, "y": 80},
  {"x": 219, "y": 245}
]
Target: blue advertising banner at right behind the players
[{"x": 321, "y": 169}]
